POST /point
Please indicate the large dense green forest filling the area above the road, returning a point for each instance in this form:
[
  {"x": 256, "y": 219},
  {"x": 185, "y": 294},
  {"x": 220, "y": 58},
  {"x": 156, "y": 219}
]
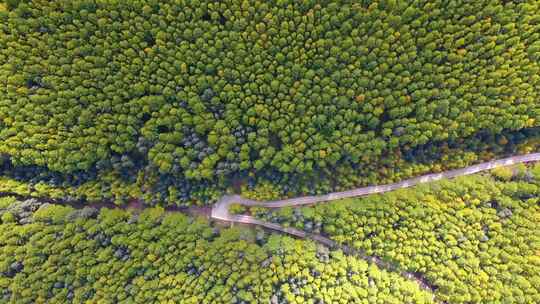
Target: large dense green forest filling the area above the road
[{"x": 176, "y": 102}]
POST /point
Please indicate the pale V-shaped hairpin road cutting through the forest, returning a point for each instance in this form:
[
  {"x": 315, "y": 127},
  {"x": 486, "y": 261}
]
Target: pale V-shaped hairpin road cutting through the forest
[{"x": 220, "y": 210}]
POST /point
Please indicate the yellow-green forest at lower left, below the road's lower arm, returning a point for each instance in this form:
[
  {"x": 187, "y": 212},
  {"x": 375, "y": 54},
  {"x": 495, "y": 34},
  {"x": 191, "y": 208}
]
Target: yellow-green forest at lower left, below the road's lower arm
[{"x": 117, "y": 256}]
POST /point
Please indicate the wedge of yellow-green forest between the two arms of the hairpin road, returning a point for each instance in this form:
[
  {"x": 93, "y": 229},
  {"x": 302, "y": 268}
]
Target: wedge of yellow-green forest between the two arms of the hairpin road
[{"x": 476, "y": 238}]
